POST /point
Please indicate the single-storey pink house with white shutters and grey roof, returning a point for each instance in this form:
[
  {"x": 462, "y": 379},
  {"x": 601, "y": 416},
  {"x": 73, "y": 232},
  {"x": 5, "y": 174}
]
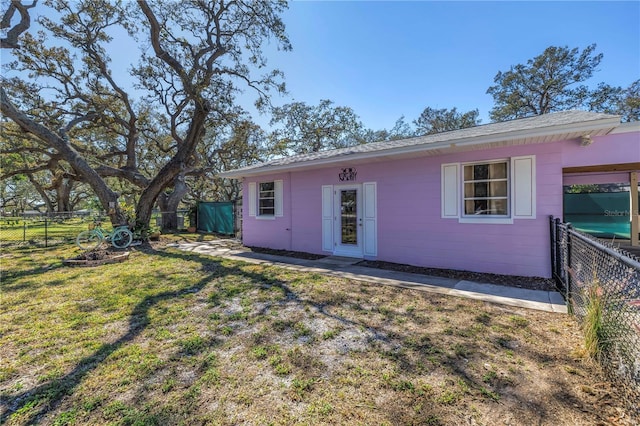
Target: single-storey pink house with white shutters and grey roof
[{"x": 475, "y": 199}]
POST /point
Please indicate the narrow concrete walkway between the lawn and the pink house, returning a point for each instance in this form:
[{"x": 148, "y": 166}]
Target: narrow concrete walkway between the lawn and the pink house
[{"x": 550, "y": 301}]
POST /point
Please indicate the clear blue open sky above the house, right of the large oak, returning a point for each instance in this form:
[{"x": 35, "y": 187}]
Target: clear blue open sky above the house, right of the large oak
[{"x": 388, "y": 59}]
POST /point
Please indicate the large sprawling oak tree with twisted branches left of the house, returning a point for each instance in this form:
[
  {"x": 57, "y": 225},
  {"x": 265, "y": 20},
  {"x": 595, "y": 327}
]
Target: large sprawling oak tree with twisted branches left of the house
[{"x": 195, "y": 57}]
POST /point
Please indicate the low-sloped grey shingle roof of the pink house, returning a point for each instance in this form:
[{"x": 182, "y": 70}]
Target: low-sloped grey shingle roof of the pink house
[{"x": 523, "y": 125}]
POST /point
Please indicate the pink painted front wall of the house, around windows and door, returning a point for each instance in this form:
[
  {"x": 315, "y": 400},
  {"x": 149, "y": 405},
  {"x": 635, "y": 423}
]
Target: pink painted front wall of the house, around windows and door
[{"x": 410, "y": 229}]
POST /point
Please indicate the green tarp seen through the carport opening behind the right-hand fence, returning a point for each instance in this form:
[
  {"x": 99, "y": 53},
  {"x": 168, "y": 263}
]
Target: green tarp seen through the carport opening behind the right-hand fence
[{"x": 603, "y": 214}]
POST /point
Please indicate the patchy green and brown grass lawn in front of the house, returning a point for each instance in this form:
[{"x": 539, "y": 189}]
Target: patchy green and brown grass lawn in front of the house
[{"x": 170, "y": 337}]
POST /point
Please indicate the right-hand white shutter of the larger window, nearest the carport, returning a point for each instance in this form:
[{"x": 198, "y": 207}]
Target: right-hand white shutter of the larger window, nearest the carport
[{"x": 523, "y": 187}]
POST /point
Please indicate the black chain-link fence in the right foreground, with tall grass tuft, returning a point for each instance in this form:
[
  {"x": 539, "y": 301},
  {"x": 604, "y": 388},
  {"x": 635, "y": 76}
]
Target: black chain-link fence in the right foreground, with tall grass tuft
[{"x": 601, "y": 283}]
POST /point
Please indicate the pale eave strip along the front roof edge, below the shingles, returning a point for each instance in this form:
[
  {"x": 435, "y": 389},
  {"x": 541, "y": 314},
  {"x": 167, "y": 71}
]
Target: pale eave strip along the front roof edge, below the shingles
[{"x": 585, "y": 128}]
